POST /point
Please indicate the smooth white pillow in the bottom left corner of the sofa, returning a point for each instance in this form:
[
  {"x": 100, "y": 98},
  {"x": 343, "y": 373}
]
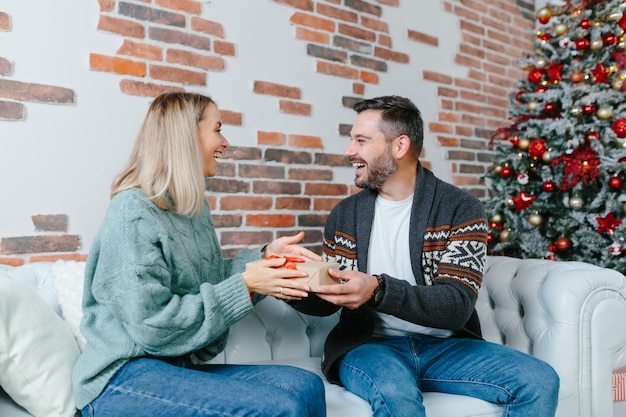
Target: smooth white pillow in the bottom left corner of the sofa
[{"x": 37, "y": 352}]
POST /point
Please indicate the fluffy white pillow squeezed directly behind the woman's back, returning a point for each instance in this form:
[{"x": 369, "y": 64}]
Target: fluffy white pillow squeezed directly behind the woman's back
[{"x": 68, "y": 278}]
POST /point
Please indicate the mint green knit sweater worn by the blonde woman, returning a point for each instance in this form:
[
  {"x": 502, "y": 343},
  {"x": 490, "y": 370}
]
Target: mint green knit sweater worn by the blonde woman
[{"x": 155, "y": 284}]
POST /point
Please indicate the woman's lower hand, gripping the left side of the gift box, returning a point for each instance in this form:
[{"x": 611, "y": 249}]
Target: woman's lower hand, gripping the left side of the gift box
[{"x": 265, "y": 278}]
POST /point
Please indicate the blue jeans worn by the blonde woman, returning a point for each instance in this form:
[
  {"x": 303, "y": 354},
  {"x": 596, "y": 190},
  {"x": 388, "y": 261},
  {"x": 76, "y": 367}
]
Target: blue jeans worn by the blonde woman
[{"x": 155, "y": 388}]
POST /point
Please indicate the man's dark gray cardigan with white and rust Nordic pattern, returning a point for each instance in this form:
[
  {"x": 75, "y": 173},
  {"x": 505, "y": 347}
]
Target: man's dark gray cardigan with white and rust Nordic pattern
[{"x": 448, "y": 244}]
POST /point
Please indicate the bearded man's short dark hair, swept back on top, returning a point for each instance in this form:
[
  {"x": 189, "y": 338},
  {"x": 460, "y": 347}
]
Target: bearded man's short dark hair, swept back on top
[{"x": 399, "y": 116}]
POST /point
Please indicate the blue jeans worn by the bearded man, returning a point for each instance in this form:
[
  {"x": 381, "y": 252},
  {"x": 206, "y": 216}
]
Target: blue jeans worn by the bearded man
[{"x": 391, "y": 373}]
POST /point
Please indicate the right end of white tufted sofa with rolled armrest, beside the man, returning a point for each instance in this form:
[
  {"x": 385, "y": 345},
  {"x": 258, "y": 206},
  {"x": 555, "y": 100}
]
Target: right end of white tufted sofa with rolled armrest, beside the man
[{"x": 569, "y": 314}]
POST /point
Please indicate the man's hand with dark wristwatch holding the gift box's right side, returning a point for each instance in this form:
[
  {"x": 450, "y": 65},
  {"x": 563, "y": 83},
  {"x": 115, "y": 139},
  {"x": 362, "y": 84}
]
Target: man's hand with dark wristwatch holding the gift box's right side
[{"x": 356, "y": 290}]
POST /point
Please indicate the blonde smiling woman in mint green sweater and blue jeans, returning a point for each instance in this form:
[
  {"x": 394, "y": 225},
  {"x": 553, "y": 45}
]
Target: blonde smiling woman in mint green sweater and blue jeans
[{"x": 159, "y": 298}]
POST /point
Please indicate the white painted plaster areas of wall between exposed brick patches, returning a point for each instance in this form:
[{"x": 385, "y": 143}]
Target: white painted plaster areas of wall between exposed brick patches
[{"x": 61, "y": 159}]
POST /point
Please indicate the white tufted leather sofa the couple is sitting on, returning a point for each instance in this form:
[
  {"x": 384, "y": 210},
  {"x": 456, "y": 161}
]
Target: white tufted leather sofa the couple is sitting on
[{"x": 570, "y": 314}]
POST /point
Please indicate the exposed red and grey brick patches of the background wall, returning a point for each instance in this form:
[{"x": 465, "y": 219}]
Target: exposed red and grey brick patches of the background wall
[{"x": 286, "y": 182}]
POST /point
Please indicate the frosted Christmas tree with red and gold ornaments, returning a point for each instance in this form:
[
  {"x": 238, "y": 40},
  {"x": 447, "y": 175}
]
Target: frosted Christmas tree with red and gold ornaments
[{"x": 558, "y": 182}]
